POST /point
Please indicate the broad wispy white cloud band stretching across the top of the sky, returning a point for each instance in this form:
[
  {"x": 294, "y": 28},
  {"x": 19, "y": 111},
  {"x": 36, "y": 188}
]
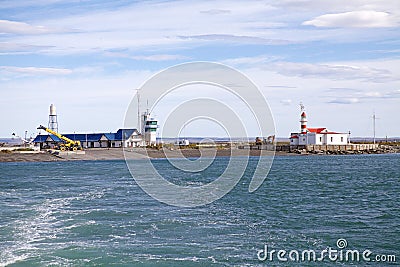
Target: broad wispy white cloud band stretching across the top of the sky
[{"x": 158, "y": 25}]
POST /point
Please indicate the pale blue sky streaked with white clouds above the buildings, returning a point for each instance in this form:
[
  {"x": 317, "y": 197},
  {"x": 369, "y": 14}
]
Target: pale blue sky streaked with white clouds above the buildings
[{"x": 339, "y": 58}]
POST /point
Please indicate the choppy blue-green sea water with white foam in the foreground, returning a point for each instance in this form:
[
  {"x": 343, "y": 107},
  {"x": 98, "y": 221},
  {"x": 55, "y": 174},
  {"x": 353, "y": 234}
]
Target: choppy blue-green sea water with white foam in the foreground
[{"x": 93, "y": 214}]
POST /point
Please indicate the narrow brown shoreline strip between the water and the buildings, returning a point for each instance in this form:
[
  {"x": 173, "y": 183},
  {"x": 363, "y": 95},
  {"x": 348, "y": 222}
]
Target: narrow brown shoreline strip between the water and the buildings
[{"x": 141, "y": 153}]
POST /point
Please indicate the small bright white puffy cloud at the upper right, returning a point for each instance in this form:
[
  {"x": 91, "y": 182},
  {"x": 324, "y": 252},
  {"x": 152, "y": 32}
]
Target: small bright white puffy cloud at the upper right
[{"x": 356, "y": 19}]
